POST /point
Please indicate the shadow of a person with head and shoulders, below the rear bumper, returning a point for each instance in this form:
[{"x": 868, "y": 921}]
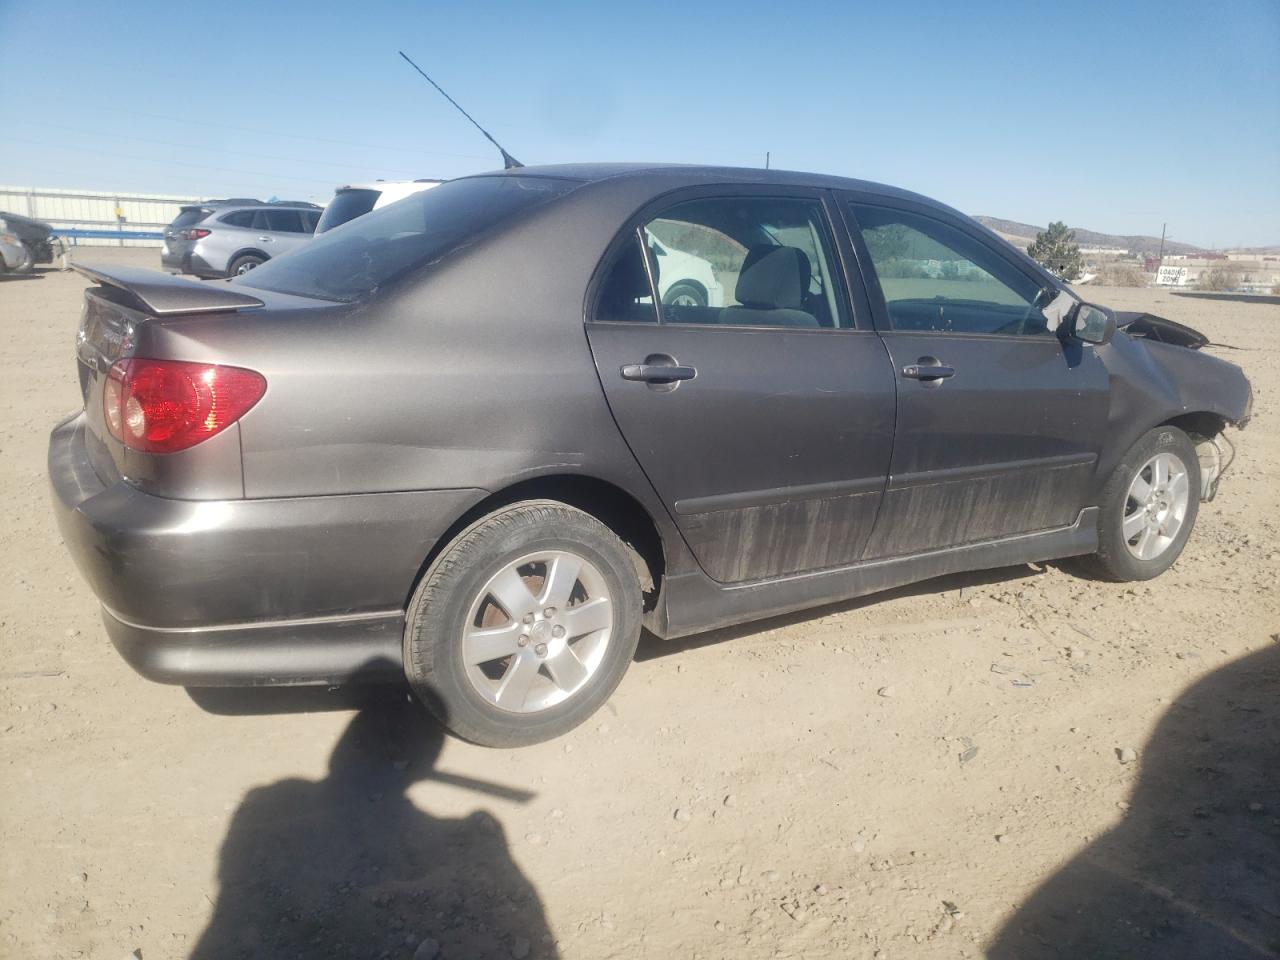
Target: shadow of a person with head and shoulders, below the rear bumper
[{"x": 348, "y": 867}]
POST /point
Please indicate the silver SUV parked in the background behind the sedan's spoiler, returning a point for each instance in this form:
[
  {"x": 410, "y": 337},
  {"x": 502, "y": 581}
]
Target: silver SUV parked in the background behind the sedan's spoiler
[{"x": 230, "y": 237}]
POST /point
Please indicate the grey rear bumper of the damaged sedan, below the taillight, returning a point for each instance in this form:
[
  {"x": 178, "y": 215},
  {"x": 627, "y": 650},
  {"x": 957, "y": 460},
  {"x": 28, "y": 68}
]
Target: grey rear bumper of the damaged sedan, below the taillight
[{"x": 228, "y": 593}]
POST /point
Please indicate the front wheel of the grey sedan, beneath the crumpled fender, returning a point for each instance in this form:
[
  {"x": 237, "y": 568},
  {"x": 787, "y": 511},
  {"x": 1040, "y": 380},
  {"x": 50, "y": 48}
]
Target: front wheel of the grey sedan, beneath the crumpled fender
[{"x": 1149, "y": 508}]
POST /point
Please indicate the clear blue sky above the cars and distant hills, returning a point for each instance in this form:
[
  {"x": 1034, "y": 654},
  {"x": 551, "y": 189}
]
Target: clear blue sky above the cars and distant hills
[{"x": 1114, "y": 117}]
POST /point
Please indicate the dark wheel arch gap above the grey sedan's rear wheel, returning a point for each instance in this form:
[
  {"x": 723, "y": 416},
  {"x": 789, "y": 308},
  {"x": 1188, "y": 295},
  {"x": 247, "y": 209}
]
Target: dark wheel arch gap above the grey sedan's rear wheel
[{"x": 607, "y": 502}]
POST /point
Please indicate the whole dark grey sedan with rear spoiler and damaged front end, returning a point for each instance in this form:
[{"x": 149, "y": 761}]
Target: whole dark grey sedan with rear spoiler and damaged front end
[{"x": 464, "y": 441}]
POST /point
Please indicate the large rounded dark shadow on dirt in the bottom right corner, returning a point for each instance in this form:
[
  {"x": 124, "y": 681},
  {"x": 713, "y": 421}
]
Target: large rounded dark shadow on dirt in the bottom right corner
[{"x": 1195, "y": 868}]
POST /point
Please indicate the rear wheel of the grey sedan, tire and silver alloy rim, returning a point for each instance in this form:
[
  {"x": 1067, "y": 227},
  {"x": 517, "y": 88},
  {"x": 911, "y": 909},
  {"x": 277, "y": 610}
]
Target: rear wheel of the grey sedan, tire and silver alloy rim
[{"x": 524, "y": 625}]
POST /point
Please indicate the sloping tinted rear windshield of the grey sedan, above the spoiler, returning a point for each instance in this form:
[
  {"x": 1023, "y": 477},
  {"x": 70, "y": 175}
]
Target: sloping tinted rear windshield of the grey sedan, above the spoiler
[{"x": 380, "y": 248}]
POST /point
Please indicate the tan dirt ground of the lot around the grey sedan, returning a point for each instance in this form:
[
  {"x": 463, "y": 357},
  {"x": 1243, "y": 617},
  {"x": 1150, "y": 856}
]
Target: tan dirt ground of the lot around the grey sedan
[{"x": 929, "y": 774}]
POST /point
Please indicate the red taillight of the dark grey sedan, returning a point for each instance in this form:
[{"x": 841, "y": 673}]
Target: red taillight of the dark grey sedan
[{"x": 163, "y": 406}]
